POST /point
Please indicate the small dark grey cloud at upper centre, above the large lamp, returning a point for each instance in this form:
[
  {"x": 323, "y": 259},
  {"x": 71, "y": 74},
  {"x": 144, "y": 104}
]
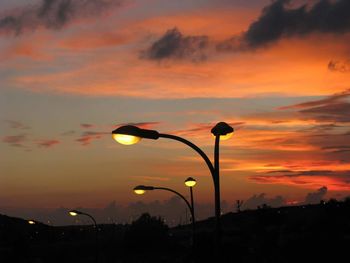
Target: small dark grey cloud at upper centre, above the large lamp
[{"x": 174, "y": 45}]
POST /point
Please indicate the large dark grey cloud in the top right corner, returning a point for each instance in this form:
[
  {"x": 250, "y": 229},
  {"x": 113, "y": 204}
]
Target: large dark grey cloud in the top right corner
[{"x": 280, "y": 20}]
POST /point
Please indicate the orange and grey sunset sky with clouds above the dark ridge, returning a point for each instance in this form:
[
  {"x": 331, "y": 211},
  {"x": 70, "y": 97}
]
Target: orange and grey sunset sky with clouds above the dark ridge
[{"x": 72, "y": 71}]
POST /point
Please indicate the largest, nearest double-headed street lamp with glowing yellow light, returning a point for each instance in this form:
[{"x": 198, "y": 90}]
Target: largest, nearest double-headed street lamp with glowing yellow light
[{"x": 130, "y": 134}]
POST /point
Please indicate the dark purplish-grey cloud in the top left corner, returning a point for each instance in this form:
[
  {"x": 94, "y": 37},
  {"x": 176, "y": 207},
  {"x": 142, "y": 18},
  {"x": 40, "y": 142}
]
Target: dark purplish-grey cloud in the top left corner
[{"x": 53, "y": 14}]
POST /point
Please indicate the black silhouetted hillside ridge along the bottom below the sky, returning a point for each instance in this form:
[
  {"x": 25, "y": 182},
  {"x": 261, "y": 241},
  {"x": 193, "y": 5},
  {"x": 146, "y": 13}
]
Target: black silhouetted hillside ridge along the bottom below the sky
[{"x": 310, "y": 233}]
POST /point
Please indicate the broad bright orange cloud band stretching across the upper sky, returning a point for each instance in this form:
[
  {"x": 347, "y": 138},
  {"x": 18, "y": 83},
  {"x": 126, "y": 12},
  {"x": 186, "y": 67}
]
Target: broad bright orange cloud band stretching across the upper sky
[{"x": 249, "y": 75}]
